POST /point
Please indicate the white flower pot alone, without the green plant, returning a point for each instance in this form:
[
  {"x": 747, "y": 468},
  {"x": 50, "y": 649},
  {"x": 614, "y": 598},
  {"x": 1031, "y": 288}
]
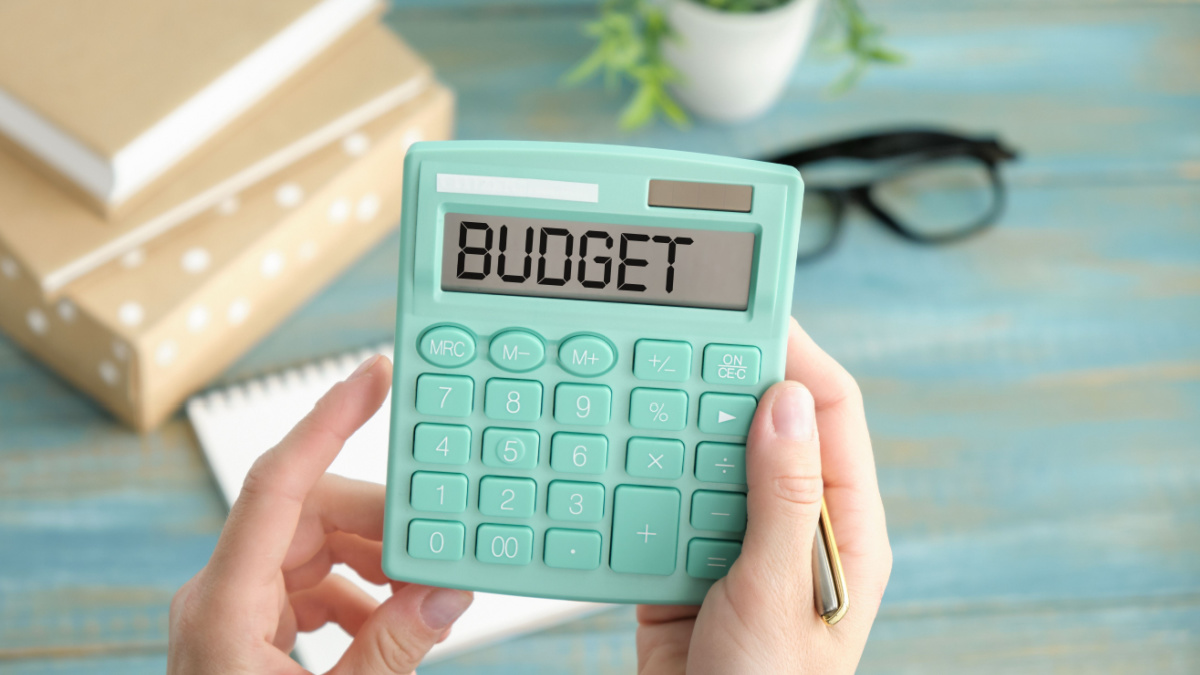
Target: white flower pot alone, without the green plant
[{"x": 736, "y": 65}]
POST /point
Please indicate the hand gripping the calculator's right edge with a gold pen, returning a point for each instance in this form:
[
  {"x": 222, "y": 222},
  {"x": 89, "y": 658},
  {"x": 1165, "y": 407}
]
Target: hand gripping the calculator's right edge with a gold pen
[{"x": 808, "y": 439}]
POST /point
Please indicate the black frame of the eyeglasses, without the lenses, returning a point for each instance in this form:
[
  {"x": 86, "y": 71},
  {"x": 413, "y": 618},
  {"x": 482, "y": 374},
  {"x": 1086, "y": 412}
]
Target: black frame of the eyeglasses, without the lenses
[{"x": 915, "y": 147}]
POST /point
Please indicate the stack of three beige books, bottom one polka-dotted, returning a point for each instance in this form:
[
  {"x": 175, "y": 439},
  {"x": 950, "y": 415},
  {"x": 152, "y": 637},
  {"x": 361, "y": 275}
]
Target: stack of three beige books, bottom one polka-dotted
[{"x": 176, "y": 178}]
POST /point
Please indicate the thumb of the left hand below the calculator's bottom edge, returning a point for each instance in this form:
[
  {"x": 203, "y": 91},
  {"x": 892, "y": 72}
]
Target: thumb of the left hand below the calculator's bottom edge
[{"x": 403, "y": 630}]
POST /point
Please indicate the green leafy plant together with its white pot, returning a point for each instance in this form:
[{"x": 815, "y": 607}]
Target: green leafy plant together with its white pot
[{"x": 727, "y": 61}]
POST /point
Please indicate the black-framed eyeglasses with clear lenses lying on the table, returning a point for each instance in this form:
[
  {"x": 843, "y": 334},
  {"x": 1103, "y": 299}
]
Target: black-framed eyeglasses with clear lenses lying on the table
[{"x": 928, "y": 187}]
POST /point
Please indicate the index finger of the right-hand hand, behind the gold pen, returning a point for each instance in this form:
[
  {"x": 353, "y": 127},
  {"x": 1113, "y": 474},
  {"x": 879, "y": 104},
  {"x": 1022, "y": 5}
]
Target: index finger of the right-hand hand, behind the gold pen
[{"x": 853, "y": 493}]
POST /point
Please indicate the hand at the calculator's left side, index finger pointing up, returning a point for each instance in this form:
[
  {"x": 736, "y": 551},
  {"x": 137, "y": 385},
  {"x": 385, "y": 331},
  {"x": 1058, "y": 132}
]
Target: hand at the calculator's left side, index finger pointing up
[{"x": 271, "y": 576}]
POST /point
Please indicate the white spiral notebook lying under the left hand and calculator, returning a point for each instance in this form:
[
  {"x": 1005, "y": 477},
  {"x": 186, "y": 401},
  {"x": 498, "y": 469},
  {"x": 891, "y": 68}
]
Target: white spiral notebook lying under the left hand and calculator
[{"x": 238, "y": 423}]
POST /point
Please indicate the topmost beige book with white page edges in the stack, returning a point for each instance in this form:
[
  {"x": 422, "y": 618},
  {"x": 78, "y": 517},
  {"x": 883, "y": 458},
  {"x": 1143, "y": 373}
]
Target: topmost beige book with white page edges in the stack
[{"x": 113, "y": 93}]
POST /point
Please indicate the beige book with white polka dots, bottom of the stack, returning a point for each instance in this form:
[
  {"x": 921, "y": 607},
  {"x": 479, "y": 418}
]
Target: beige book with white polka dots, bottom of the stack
[{"x": 143, "y": 334}]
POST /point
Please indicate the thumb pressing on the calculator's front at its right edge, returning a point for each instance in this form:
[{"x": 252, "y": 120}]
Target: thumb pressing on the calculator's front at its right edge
[{"x": 784, "y": 493}]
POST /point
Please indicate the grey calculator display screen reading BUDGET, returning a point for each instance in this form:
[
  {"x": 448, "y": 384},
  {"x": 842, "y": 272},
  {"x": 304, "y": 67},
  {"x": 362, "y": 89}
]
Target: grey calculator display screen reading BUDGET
[{"x": 590, "y": 261}]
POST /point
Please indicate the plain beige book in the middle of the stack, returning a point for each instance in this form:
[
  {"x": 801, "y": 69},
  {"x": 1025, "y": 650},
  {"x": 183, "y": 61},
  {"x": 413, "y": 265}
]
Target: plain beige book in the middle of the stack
[{"x": 56, "y": 240}]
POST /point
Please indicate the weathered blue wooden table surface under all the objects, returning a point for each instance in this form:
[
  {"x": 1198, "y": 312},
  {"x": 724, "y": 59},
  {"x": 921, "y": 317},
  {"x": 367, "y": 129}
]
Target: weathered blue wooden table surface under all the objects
[{"x": 1034, "y": 395}]
